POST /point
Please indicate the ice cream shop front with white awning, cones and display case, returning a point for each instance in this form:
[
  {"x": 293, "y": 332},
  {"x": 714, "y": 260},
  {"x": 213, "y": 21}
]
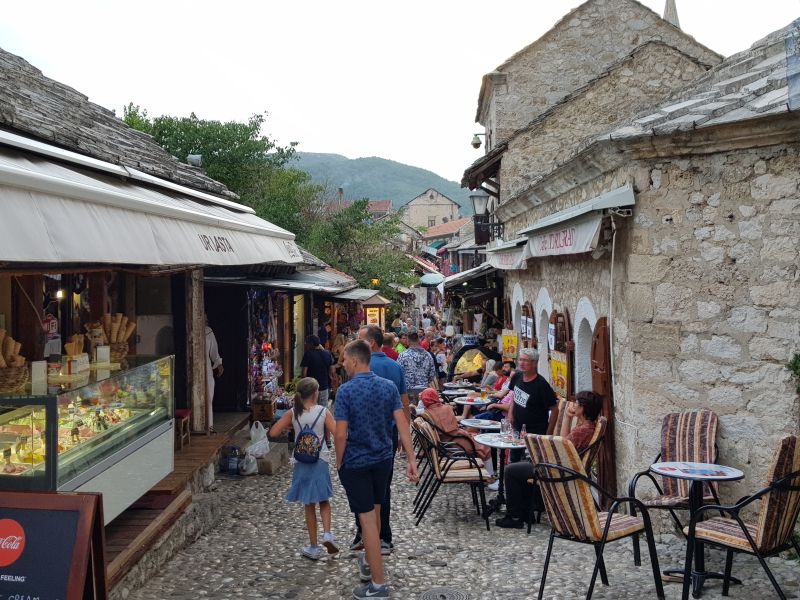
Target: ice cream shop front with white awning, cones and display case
[{"x": 101, "y": 318}]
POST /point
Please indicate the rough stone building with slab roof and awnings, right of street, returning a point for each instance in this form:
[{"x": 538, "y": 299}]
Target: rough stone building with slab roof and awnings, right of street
[{"x": 670, "y": 213}]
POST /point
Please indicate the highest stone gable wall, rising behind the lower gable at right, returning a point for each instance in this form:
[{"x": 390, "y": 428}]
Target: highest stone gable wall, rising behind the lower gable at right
[{"x": 578, "y": 49}]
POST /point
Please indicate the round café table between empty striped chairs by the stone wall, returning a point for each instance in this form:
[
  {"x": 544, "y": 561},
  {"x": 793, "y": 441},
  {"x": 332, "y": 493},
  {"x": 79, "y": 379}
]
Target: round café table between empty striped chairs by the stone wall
[{"x": 699, "y": 474}]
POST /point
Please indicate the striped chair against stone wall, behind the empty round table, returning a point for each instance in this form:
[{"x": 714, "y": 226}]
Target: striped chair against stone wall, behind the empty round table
[{"x": 686, "y": 436}]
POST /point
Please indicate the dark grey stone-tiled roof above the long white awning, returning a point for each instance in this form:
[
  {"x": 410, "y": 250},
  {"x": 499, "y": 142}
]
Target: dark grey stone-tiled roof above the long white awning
[{"x": 39, "y": 107}]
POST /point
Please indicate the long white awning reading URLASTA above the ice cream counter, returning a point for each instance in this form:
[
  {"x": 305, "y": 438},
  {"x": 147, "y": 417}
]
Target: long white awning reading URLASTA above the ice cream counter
[{"x": 53, "y": 213}]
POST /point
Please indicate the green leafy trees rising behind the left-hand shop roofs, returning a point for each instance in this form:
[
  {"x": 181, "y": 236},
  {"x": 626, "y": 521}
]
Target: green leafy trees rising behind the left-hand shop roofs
[{"x": 255, "y": 167}]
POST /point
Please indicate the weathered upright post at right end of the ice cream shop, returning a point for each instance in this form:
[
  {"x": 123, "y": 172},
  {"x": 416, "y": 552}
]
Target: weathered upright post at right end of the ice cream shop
[{"x": 196, "y": 350}]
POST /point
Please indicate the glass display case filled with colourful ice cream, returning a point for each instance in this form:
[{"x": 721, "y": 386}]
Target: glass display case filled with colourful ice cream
[{"x": 92, "y": 421}]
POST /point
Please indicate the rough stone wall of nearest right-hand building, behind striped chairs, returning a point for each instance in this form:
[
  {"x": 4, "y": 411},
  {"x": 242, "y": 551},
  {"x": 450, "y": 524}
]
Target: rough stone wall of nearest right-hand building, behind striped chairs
[{"x": 706, "y": 300}]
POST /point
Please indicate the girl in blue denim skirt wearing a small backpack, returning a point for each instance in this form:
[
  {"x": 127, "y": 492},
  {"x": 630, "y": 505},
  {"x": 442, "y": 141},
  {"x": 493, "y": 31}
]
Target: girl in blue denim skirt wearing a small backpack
[{"x": 311, "y": 482}]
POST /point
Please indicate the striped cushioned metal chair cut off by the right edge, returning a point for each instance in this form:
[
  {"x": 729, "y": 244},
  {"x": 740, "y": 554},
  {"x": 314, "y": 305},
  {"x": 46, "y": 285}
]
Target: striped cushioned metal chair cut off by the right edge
[{"x": 773, "y": 530}]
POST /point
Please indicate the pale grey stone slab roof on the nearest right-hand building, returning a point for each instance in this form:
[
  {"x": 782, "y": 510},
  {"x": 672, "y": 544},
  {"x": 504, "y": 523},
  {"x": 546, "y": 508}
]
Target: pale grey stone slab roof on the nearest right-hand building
[{"x": 748, "y": 85}]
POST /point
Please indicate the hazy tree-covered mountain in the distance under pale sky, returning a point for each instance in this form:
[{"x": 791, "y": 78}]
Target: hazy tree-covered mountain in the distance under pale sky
[{"x": 377, "y": 179}]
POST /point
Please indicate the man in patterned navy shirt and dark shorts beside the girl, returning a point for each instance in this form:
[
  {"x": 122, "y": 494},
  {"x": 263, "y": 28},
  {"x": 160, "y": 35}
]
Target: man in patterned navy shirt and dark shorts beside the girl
[{"x": 368, "y": 408}]
